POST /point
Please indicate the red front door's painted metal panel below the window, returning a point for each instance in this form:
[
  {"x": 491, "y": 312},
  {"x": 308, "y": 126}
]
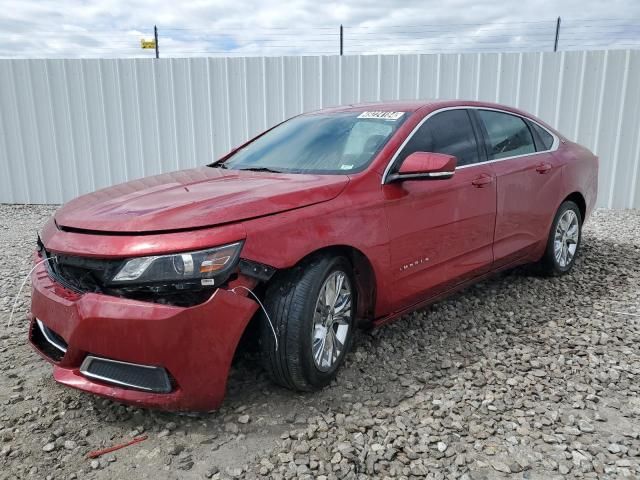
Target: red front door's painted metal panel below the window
[{"x": 441, "y": 232}]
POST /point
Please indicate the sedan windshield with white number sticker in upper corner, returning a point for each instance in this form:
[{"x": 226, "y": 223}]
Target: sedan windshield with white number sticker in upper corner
[{"x": 332, "y": 143}]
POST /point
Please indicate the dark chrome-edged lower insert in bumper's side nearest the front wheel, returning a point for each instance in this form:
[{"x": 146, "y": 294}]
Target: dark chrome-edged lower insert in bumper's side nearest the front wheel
[{"x": 124, "y": 374}]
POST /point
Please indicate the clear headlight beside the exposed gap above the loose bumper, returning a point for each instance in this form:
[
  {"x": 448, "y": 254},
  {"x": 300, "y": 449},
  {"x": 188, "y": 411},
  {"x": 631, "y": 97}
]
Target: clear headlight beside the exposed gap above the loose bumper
[{"x": 205, "y": 267}]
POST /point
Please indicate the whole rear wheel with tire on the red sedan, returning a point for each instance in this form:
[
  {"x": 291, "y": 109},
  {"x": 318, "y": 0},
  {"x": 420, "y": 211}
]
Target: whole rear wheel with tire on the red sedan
[{"x": 564, "y": 239}]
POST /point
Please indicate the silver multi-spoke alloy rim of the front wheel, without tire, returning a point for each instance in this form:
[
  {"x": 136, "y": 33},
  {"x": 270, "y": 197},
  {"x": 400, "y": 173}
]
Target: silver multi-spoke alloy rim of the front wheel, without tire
[{"x": 331, "y": 321}]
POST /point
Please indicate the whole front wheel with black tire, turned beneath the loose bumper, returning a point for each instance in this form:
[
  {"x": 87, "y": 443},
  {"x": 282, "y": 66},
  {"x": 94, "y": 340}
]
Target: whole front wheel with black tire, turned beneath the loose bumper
[{"x": 312, "y": 308}]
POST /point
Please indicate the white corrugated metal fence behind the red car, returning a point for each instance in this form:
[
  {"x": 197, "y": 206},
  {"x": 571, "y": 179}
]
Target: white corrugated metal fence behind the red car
[{"x": 72, "y": 126}]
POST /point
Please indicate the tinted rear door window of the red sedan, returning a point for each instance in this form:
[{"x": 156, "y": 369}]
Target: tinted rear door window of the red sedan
[{"x": 508, "y": 135}]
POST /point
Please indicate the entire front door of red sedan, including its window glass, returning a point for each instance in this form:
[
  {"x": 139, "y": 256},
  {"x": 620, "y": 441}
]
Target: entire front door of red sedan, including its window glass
[{"x": 441, "y": 231}]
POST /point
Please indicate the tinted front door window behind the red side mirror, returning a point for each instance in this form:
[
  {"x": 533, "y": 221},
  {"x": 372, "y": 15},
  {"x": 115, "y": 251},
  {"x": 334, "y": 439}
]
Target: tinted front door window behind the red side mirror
[{"x": 447, "y": 132}]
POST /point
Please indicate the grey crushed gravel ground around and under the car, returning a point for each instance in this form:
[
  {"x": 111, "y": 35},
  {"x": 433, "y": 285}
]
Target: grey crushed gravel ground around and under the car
[{"x": 519, "y": 377}]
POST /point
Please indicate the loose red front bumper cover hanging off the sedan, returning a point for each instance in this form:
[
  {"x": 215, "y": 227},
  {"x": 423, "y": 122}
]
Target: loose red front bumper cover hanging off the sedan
[{"x": 105, "y": 343}]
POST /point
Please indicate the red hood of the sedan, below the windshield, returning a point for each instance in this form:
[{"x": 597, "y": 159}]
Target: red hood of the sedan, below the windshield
[{"x": 196, "y": 198}]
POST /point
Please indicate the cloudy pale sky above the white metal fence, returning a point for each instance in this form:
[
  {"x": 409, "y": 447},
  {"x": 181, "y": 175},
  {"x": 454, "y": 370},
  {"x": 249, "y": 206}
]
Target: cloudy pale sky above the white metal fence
[{"x": 114, "y": 28}]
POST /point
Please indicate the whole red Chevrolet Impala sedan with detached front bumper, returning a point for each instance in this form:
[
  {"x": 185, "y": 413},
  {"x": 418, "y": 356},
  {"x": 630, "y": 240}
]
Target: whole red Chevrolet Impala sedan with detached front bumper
[{"x": 343, "y": 217}]
